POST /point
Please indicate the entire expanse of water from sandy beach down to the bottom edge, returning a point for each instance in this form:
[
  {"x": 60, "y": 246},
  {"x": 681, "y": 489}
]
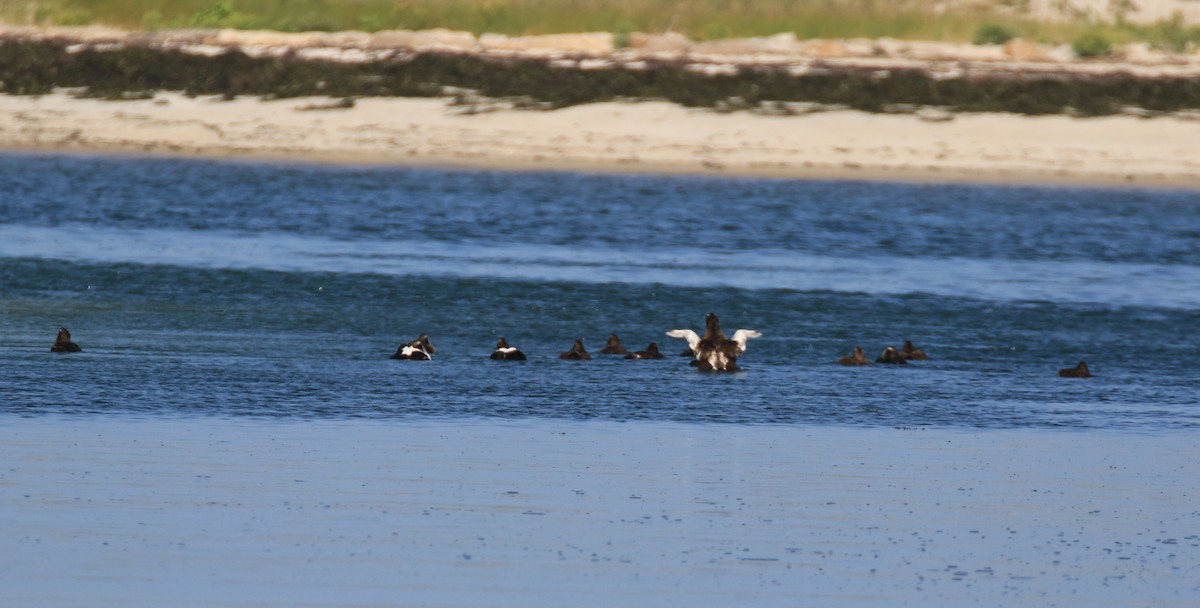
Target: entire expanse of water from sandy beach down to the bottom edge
[{"x": 260, "y": 304}]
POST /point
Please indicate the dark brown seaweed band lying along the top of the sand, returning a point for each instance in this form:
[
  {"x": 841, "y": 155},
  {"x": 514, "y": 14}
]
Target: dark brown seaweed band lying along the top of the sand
[{"x": 117, "y": 73}]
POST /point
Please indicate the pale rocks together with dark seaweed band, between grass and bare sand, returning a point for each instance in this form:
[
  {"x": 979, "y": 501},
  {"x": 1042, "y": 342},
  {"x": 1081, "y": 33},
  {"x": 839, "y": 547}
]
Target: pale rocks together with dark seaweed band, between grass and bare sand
[{"x": 779, "y": 75}]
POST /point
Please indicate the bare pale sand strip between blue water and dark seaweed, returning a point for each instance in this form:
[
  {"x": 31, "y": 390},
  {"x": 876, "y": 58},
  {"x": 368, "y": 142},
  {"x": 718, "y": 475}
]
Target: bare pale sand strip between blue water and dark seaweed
[{"x": 653, "y": 137}]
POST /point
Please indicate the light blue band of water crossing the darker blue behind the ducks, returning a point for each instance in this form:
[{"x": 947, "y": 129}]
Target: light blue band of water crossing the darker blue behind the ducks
[{"x": 999, "y": 280}]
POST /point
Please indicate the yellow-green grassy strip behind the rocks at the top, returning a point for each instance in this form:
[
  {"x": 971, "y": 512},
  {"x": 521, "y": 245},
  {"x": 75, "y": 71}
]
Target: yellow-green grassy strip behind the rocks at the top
[{"x": 700, "y": 20}]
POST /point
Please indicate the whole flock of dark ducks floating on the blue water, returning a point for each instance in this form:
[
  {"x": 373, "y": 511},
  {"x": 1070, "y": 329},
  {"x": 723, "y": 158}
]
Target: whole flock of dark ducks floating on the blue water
[{"x": 713, "y": 352}]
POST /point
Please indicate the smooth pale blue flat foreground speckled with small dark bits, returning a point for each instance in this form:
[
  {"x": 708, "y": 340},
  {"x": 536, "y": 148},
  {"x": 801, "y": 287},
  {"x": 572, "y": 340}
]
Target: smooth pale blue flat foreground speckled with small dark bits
[{"x": 211, "y": 511}]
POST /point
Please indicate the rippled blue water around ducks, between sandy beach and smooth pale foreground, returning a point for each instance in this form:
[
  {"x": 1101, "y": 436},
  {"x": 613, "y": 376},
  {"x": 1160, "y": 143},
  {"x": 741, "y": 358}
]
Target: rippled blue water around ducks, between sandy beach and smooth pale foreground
[{"x": 274, "y": 291}]
